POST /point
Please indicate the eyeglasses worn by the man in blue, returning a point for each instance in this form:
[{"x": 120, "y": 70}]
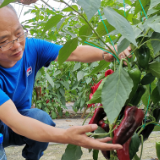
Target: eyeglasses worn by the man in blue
[{"x": 19, "y": 39}]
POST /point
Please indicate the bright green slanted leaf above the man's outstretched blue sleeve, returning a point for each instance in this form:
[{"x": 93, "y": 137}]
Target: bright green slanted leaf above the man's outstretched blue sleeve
[{"x": 52, "y": 22}]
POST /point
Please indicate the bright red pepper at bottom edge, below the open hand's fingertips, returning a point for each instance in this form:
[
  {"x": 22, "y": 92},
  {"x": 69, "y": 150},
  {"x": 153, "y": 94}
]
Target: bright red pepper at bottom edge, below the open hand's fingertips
[{"x": 123, "y": 154}]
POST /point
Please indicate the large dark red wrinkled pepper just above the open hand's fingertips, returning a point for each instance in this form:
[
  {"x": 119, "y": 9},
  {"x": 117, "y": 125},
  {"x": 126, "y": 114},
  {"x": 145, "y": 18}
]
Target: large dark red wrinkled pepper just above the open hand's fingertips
[{"x": 133, "y": 118}]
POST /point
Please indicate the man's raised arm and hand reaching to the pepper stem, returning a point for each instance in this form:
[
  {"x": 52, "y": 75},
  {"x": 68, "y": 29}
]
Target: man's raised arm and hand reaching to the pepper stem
[{"x": 89, "y": 54}]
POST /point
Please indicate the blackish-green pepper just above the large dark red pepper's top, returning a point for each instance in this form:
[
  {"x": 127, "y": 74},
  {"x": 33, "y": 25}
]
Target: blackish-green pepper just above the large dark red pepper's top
[{"x": 138, "y": 95}]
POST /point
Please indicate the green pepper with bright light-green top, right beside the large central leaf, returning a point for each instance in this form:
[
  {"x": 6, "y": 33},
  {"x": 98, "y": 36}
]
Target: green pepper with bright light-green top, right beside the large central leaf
[{"x": 135, "y": 74}]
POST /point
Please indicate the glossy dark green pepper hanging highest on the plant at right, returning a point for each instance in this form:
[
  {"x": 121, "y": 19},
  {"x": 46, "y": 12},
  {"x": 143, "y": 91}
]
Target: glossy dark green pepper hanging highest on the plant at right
[{"x": 143, "y": 56}]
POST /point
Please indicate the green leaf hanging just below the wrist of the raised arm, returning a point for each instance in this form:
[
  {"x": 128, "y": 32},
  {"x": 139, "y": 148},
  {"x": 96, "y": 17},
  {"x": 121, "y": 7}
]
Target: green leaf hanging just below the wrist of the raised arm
[{"x": 102, "y": 65}]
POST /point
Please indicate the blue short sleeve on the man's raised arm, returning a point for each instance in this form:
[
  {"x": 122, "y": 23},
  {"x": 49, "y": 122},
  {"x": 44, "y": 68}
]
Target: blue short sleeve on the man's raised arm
[{"x": 46, "y": 52}]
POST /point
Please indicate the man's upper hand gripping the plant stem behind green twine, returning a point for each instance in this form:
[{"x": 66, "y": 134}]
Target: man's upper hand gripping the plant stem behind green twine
[{"x": 126, "y": 53}]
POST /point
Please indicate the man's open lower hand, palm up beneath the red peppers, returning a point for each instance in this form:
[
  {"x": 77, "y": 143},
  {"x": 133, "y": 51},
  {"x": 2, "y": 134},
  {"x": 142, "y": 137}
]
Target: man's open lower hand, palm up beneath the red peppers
[{"x": 77, "y": 135}]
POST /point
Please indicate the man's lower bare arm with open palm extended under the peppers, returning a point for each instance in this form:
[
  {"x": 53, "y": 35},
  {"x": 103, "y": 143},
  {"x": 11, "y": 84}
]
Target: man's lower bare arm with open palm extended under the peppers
[{"x": 41, "y": 132}]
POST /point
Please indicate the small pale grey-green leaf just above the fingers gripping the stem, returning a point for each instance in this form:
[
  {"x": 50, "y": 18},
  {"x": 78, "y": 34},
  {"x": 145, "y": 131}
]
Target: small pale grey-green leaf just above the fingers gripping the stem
[{"x": 123, "y": 44}]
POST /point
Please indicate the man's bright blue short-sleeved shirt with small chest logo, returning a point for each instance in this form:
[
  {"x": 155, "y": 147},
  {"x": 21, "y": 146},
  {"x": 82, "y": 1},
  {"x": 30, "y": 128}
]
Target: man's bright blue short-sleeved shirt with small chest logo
[{"x": 17, "y": 82}]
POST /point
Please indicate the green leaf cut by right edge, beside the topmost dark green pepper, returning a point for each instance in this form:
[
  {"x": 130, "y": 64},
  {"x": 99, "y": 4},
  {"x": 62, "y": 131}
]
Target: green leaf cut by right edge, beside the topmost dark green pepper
[{"x": 154, "y": 68}]
